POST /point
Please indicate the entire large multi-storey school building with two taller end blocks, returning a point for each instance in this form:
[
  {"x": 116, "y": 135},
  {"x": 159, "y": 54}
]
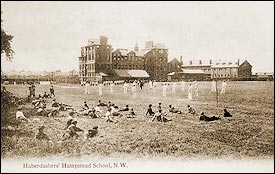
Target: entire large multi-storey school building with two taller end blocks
[{"x": 97, "y": 58}]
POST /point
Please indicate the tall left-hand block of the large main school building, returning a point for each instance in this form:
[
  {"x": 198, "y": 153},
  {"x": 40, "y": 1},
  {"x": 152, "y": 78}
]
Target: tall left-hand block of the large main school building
[{"x": 95, "y": 59}]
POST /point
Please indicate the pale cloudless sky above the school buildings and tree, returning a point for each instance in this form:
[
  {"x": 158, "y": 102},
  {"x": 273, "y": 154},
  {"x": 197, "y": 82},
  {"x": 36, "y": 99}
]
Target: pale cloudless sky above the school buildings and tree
[{"x": 48, "y": 35}]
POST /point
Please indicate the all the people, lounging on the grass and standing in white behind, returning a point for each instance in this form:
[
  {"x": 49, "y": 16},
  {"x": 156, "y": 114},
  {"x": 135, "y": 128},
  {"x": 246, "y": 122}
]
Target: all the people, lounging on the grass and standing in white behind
[{"x": 110, "y": 111}]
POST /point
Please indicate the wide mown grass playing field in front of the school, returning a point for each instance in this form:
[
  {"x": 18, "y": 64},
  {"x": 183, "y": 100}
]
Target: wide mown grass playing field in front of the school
[{"x": 249, "y": 133}]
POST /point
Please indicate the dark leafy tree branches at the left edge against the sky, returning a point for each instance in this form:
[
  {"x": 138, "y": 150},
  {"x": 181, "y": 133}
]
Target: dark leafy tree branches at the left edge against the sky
[{"x": 6, "y": 40}]
